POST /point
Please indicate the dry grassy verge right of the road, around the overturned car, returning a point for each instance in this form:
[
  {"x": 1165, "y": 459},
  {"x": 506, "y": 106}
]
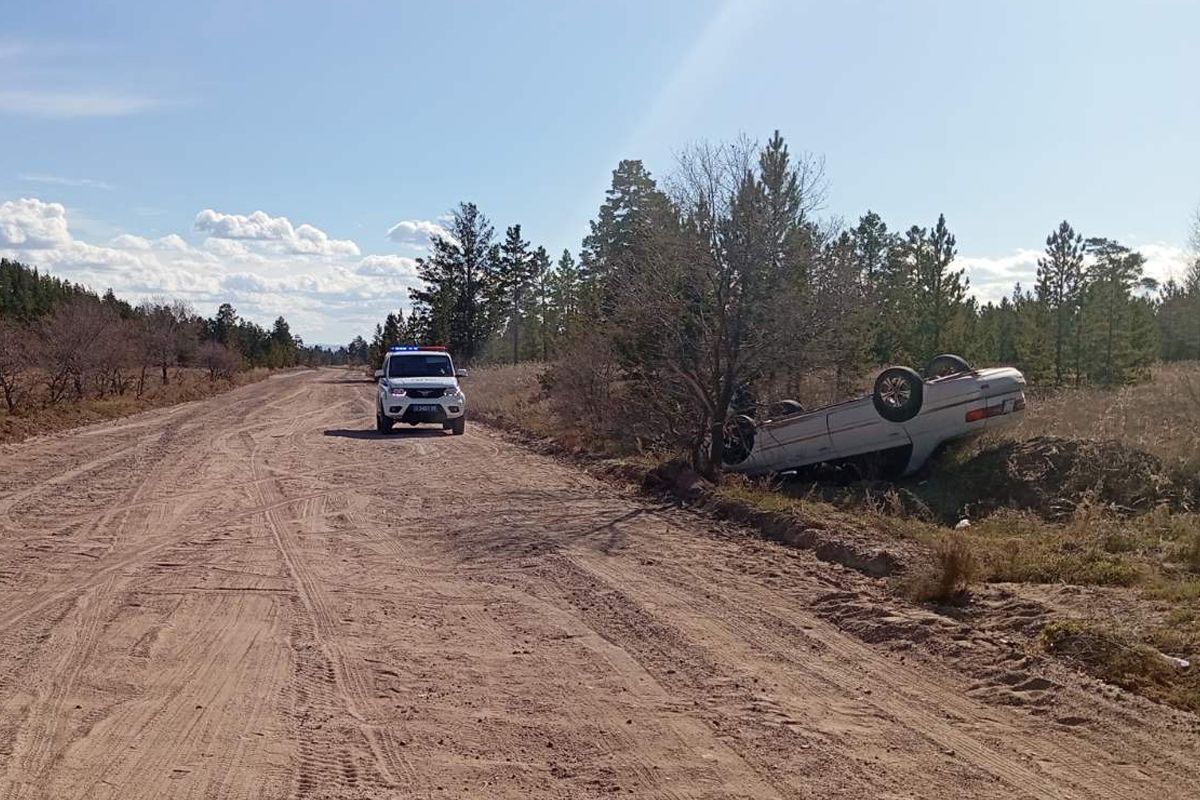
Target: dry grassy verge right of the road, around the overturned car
[{"x": 1096, "y": 489}]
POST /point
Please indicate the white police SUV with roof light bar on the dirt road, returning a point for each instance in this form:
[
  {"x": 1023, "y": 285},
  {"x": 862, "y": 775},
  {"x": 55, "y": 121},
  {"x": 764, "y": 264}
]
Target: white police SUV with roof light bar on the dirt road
[{"x": 419, "y": 384}]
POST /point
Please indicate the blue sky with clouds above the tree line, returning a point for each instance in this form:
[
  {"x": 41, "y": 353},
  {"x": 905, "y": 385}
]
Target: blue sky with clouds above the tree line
[{"x": 139, "y": 139}]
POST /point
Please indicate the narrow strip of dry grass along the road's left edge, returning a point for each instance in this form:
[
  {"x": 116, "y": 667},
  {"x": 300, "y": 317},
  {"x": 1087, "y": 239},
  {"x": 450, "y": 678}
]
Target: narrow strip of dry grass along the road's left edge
[{"x": 187, "y": 386}]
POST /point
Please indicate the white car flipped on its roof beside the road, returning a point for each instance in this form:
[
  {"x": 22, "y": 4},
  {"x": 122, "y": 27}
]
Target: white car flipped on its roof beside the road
[{"x": 896, "y": 430}]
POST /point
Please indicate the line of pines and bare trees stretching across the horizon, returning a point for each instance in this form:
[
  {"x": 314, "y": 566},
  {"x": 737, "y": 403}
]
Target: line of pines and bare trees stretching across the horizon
[{"x": 719, "y": 276}]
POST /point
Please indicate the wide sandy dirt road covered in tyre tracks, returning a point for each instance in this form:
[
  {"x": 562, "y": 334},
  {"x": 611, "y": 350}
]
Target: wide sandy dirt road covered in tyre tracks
[{"x": 256, "y": 598}]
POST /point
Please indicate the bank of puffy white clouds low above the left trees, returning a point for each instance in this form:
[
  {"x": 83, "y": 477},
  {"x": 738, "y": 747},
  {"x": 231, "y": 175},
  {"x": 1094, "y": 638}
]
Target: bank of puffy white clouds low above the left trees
[{"x": 263, "y": 266}]
